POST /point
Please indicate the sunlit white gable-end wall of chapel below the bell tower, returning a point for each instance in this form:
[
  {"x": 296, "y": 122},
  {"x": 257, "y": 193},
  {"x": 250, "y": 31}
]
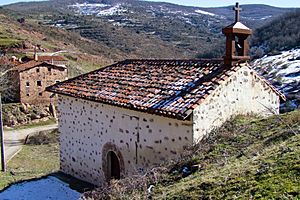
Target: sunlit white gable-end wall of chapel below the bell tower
[{"x": 243, "y": 93}]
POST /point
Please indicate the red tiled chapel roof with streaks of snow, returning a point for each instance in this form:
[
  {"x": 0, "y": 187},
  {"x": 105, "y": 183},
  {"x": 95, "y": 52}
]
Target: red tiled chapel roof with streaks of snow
[{"x": 171, "y": 88}]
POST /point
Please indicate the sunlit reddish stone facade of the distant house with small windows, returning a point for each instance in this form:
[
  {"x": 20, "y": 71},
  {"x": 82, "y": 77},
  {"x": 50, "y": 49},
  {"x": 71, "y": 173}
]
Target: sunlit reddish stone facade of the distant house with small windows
[{"x": 34, "y": 81}]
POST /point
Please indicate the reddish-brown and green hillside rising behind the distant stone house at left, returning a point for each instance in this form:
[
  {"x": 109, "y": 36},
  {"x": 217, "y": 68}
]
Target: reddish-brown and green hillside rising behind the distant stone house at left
[{"x": 19, "y": 39}]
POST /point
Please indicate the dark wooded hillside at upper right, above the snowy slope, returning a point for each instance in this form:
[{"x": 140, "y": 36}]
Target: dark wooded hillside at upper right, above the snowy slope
[{"x": 279, "y": 34}]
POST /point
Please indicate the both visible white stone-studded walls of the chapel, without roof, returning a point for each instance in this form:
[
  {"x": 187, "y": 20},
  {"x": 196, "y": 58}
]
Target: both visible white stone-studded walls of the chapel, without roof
[{"x": 90, "y": 130}]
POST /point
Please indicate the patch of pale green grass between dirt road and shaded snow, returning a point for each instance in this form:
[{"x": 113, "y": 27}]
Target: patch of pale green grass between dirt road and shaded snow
[{"x": 33, "y": 161}]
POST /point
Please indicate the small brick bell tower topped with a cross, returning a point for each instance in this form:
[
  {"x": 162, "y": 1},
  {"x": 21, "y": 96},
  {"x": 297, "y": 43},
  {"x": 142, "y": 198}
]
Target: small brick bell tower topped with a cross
[{"x": 237, "y": 48}]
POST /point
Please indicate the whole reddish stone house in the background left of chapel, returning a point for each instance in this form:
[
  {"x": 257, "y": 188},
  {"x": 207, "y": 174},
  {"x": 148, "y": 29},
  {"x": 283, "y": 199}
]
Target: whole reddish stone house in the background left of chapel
[{"x": 30, "y": 80}]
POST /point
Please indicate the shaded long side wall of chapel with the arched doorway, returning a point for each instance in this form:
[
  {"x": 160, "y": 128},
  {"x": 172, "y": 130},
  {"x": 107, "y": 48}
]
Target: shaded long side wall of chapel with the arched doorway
[{"x": 89, "y": 130}]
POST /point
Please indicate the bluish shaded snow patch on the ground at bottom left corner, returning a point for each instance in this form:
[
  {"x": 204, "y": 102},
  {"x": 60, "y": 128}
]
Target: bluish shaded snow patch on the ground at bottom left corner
[{"x": 48, "y": 188}]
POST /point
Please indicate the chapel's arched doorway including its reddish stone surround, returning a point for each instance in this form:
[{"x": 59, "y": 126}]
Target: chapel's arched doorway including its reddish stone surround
[{"x": 112, "y": 162}]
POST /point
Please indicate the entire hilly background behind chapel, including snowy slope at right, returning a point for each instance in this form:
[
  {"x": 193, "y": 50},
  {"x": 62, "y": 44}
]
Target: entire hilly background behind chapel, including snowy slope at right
[{"x": 91, "y": 34}]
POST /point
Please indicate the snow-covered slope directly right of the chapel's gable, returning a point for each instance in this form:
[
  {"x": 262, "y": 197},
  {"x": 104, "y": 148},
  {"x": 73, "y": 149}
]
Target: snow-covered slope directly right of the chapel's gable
[{"x": 283, "y": 71}]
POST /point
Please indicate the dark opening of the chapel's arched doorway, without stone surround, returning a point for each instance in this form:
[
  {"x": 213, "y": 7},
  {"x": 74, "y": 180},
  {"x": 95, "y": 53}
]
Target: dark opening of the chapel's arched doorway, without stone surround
[{"x": 113, "y": 166}]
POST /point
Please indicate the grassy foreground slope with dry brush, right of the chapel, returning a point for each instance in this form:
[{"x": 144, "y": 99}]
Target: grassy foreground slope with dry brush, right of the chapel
[{"x": 247, "y": 158}]
